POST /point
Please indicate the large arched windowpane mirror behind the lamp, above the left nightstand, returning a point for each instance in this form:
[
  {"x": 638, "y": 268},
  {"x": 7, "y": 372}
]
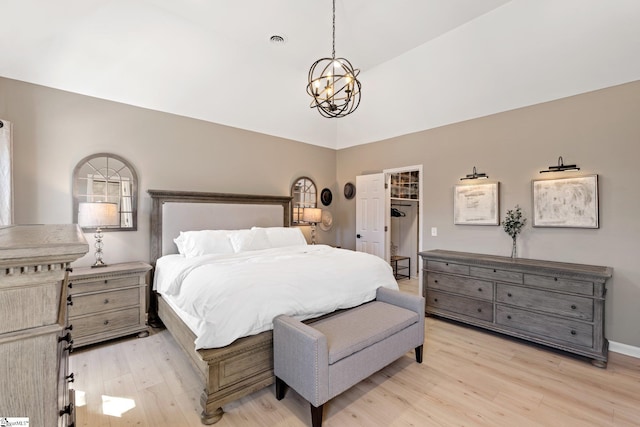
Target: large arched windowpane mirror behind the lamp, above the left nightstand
[{"x": 105, "y": 194}]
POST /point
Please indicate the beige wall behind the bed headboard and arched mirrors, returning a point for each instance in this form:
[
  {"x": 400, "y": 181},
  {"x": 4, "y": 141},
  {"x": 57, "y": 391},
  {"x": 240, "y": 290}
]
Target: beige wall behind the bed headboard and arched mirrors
[{"x": 54, "y": 129}]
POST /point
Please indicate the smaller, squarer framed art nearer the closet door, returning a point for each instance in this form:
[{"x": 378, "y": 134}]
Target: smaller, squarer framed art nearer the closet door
[{"x": 476, "y": 204}]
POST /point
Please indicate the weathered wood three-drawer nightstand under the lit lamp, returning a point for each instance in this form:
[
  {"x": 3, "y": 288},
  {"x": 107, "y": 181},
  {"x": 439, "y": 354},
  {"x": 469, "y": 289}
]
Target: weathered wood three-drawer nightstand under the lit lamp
[{"x": 107, "y": 302}]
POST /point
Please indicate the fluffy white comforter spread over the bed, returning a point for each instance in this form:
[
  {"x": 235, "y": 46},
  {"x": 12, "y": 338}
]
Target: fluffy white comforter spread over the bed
[{"x": 239, "y": 295}]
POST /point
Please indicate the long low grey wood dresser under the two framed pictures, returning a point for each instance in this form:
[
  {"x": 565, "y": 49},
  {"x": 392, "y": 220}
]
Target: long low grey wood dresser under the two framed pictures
[{"x": 556, "y": 304}]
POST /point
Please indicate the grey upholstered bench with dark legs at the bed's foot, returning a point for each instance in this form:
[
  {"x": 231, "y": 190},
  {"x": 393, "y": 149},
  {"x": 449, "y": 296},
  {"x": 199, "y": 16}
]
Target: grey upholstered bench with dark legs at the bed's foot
[{"x": 322, "y": 359}]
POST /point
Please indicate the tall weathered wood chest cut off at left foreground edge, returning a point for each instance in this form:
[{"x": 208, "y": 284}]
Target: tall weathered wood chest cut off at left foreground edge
[{"x": 35, "y": 338}]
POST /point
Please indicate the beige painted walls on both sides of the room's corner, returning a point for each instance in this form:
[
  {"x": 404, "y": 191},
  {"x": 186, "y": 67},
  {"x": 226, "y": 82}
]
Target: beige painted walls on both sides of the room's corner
[{"x": 599, "y": 131}]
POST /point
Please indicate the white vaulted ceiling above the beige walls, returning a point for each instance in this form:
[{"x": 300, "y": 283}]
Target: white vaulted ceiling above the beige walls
[{"x": 424, "y": 63}]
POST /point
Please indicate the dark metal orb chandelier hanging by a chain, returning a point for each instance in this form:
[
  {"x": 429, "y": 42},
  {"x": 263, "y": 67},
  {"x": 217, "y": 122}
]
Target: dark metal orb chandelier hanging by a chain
[{"x": 333, "y": 83}]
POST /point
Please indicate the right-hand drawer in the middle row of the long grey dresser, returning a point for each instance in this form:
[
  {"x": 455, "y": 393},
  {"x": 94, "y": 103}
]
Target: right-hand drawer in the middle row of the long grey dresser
[{"x": 549, "y": 302}]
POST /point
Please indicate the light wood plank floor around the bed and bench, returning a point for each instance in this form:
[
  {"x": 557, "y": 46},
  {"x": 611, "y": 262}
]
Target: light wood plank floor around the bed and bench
[{"x": 468, "y": 378}]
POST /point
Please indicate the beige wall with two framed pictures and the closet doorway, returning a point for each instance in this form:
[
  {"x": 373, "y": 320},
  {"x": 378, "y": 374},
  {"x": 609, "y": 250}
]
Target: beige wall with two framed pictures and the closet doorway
[{"x": 600, "y": 131}]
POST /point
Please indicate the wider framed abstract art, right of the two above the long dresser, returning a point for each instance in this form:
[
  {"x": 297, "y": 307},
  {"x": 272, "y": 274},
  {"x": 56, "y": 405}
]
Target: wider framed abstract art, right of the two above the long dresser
[{"x": 566, "y": 202}]
